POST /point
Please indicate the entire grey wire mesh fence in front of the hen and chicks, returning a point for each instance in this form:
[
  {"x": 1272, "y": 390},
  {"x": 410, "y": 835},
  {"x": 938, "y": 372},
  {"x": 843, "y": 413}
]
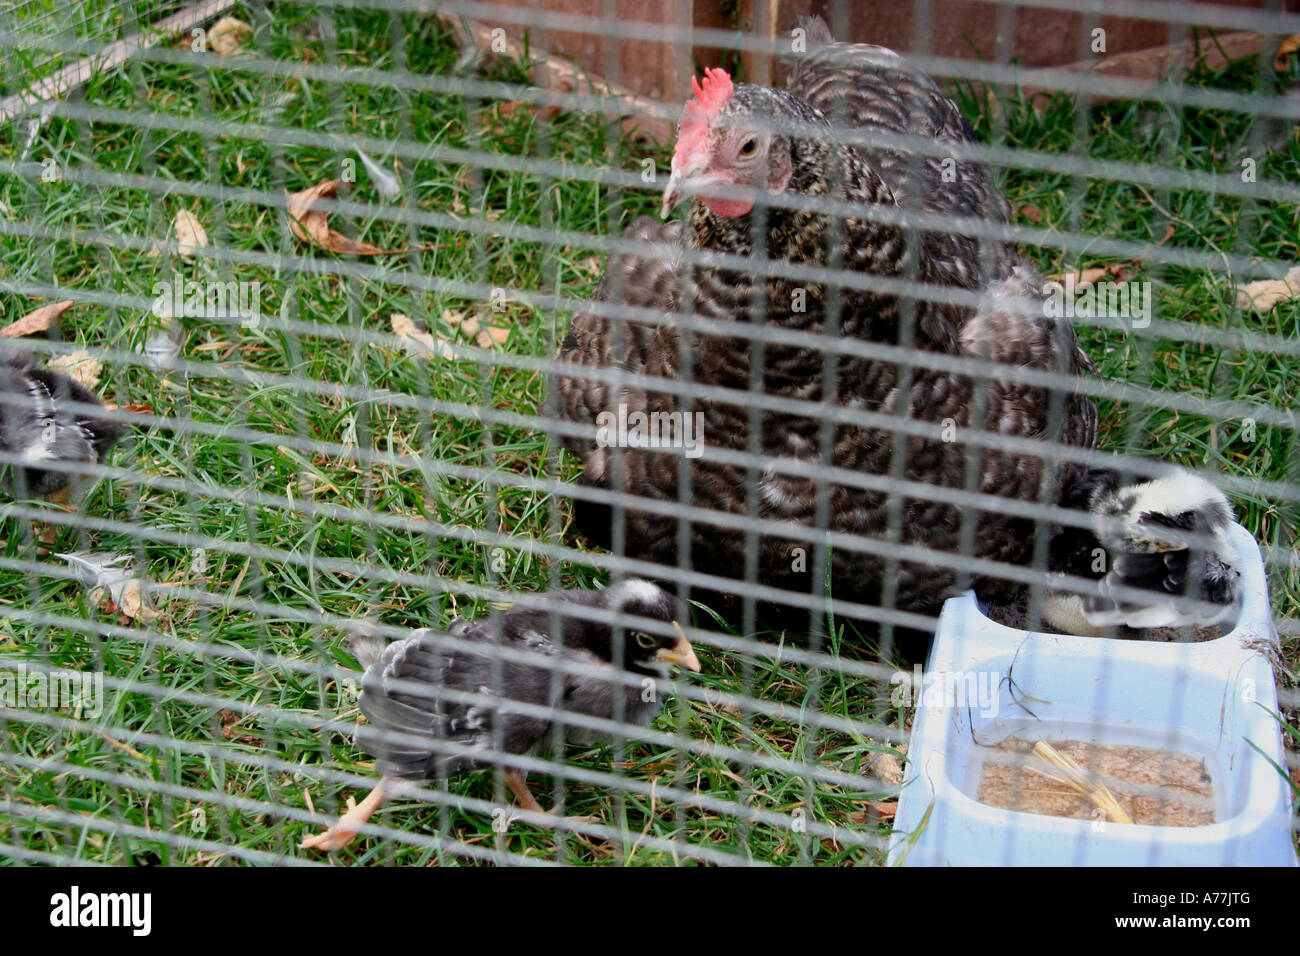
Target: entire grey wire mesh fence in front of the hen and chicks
[{"x": 365, "y": 293}]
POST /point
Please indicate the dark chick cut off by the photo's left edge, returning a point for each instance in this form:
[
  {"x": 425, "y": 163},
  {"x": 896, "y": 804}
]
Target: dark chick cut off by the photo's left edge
[{"x": 41, "y": 423}]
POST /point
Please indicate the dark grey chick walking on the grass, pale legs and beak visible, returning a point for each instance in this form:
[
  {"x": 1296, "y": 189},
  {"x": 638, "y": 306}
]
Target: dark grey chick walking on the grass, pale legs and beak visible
[{"x": 414, "y": 690}]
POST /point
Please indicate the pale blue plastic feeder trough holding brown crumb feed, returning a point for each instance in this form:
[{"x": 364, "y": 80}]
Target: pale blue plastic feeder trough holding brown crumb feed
[{"x": 1197, "y": 723}]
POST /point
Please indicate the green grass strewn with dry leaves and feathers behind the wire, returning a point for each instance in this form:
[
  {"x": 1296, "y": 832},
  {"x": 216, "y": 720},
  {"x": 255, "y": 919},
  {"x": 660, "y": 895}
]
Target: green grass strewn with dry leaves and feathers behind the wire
[{"x": 190, "y": 758}]
